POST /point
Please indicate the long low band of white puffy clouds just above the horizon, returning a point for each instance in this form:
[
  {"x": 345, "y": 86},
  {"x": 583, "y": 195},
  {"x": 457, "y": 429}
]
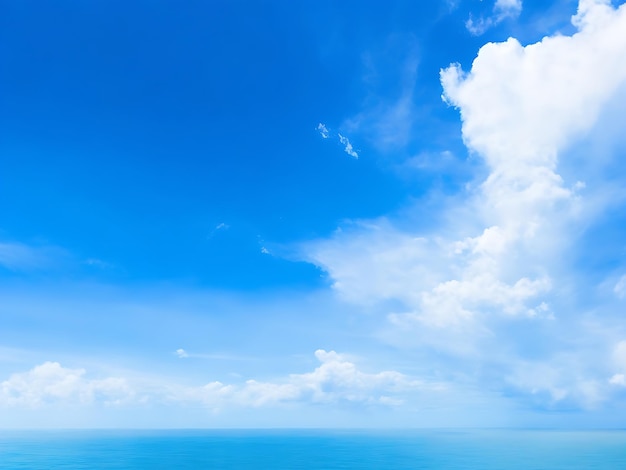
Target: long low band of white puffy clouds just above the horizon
[{"x": 335, "y": 380}]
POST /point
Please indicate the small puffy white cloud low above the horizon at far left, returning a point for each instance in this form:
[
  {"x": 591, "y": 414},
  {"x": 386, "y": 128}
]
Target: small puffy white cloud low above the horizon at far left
[{"x": 50, "y": 383}]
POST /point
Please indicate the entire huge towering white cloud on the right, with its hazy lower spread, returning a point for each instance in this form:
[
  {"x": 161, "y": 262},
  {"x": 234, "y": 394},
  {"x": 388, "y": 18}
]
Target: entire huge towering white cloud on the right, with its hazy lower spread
[{"x": 499, "y": 251}]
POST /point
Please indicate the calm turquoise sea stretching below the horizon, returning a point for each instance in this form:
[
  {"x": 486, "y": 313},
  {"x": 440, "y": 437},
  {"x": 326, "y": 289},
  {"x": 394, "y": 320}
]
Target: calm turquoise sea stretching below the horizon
[{"x": 300, "y": 449}]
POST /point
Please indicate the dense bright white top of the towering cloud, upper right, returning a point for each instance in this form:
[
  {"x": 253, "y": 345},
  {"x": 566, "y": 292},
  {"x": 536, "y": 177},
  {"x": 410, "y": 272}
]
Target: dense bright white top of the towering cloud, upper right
[{"x": 527, "y": 103}]
